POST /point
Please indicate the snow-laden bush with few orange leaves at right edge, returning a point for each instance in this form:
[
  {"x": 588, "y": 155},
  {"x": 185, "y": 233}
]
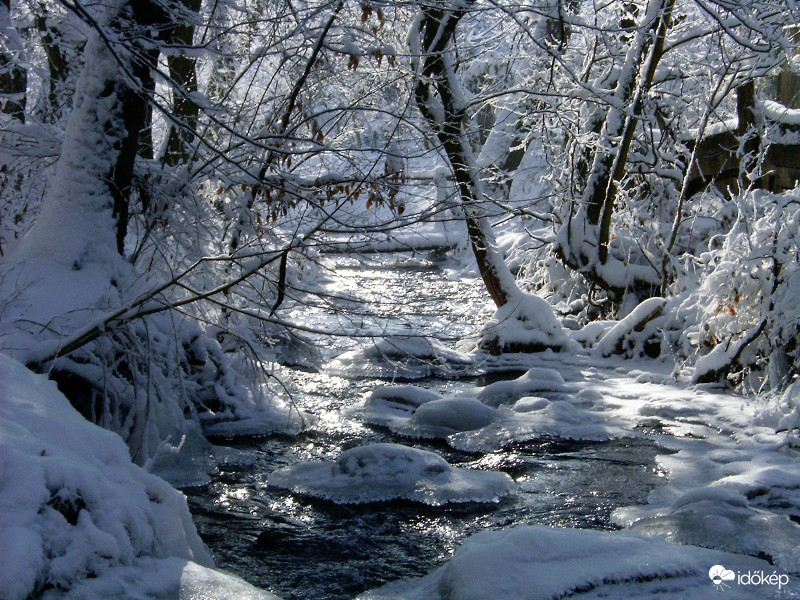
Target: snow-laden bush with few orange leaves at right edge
[{"x": 743, "y": 316}]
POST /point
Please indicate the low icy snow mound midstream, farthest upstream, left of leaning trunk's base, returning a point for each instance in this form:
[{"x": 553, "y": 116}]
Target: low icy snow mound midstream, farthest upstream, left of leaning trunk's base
[{"x": 412, "y": 357}]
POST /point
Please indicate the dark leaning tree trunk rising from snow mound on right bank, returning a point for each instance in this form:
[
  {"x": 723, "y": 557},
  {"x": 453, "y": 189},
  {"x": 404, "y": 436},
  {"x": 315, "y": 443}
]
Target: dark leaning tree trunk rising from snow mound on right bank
[{"x": 438, "y": 102}]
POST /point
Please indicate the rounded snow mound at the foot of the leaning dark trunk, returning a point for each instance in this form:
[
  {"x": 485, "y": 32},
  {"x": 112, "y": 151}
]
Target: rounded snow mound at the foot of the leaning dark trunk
[{"x": 526, "y": 323}]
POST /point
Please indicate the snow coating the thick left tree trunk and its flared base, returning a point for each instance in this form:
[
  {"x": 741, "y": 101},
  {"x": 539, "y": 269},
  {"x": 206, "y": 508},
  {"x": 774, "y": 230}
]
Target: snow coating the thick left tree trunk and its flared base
[{"x": 68, "y": 264}]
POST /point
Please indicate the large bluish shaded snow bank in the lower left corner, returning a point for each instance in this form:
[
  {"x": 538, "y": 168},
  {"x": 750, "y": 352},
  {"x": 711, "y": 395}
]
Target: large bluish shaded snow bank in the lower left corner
[{"x": 72, "y": 505}]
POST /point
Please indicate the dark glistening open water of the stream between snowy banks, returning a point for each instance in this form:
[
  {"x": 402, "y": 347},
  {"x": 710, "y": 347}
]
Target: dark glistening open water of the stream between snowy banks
[{"x": 308, "y": 549}]
